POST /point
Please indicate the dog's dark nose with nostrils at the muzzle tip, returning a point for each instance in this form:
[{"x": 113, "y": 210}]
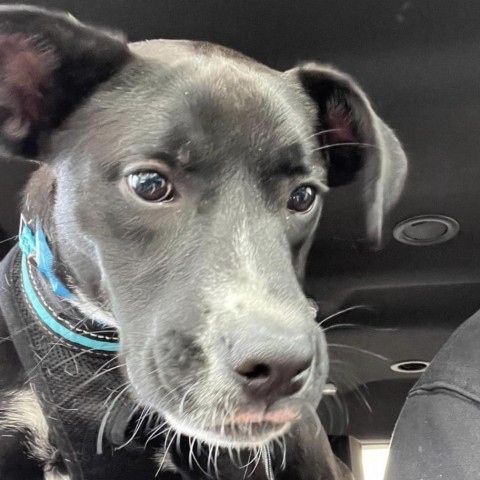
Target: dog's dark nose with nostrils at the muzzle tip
[{"x": 271, "y": 367}]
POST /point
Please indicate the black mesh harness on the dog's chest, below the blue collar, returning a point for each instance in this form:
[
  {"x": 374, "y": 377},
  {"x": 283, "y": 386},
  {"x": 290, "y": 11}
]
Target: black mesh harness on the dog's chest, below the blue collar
[{"x": 76, "y": 388}]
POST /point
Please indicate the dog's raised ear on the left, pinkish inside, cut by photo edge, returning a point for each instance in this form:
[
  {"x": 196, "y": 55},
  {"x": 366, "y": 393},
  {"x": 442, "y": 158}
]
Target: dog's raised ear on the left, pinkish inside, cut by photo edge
[{"x": 49, "y": 64}]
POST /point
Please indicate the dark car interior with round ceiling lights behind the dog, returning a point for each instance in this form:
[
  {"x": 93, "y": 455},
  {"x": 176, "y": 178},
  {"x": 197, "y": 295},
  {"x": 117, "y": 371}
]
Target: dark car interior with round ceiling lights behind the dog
[{"x": 386, "y": 313}]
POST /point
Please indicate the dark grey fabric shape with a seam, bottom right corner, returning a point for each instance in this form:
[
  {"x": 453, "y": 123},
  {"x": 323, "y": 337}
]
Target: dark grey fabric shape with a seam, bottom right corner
[{"x": 437, "y": 436}]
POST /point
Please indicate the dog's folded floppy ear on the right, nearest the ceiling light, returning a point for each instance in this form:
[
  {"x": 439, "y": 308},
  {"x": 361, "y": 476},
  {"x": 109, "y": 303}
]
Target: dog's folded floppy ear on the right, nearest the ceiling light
[{"x": 355, "y": 140}]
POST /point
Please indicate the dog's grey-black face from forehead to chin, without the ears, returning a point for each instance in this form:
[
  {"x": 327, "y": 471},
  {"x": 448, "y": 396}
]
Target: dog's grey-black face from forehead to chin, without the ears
[{"x": 197, "y": 189}]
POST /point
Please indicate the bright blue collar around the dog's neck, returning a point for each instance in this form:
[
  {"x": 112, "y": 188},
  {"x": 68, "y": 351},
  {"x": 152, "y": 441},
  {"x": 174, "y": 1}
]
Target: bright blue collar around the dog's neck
[{"x": 34, "y": 245}]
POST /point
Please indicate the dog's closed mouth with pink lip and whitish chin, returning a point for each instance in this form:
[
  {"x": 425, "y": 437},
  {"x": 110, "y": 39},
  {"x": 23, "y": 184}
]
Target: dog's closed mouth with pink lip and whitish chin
[{"x": 244, "y": 429}]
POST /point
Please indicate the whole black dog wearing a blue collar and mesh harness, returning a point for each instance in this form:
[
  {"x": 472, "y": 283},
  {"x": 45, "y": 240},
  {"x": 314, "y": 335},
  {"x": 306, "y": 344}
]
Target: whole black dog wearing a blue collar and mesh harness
[{"x": 155, "y": 322}]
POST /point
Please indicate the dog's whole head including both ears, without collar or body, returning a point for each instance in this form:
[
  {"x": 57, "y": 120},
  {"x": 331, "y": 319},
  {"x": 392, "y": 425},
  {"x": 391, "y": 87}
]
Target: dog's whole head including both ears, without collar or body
[{"x": 184, "y": 183}]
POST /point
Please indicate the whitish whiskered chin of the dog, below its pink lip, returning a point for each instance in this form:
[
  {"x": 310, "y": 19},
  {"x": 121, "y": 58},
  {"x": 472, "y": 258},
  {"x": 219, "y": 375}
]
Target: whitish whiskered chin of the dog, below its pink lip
[{"x": 231, "y": 435}]
